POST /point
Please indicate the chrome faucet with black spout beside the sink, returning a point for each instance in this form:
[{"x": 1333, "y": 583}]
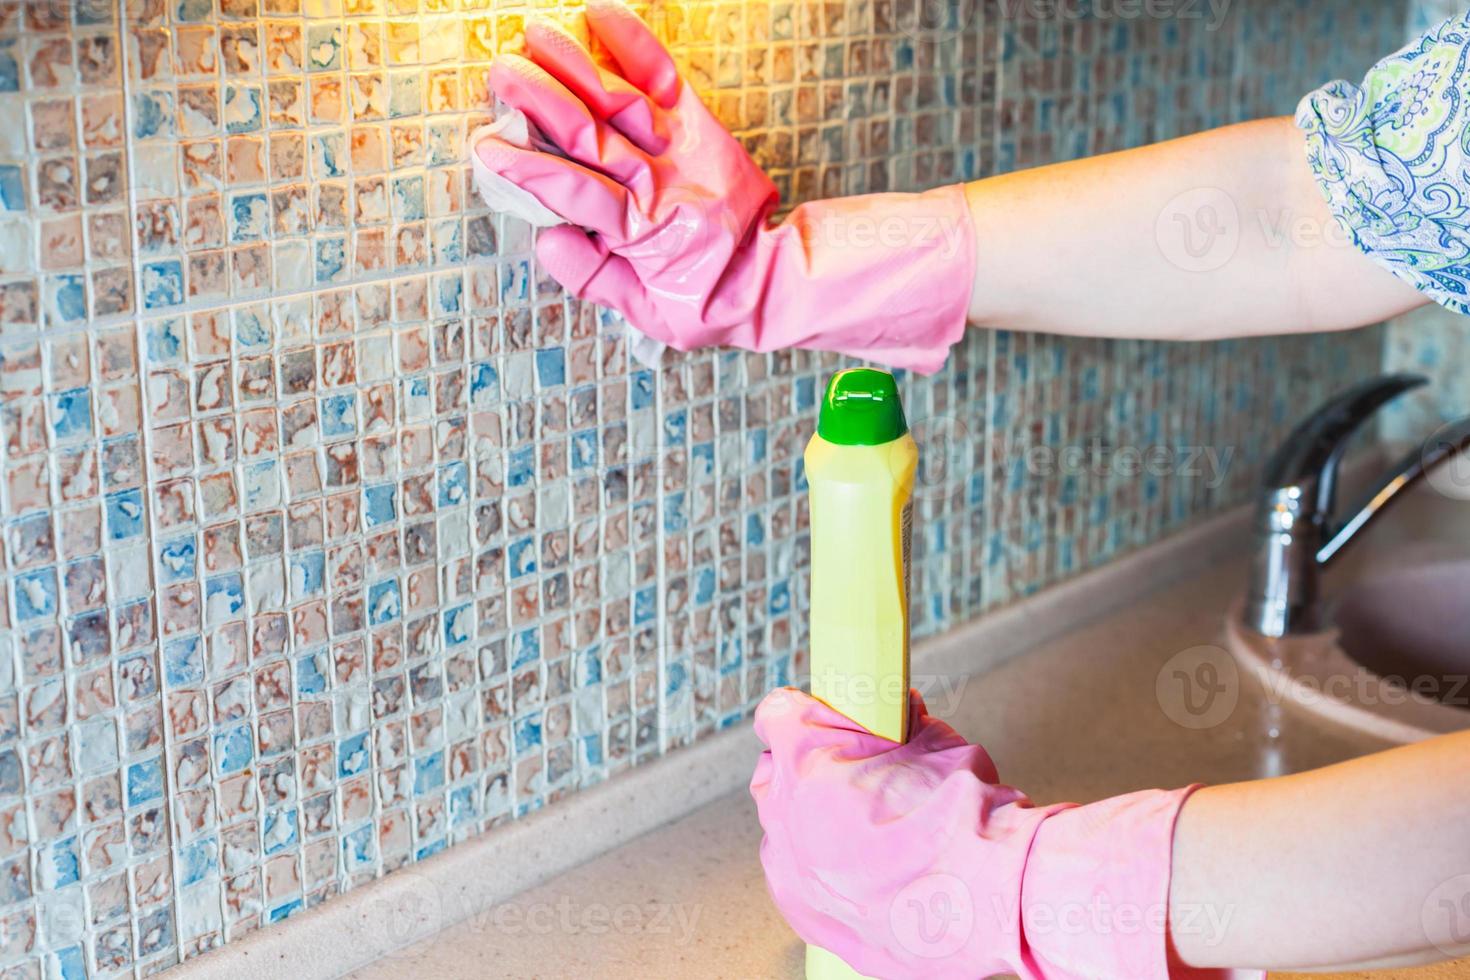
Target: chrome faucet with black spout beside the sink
[{"x": 1296, "y": 533}]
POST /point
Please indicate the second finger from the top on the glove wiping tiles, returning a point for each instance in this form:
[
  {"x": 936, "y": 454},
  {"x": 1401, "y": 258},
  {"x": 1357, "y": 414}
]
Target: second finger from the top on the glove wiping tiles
[{"x": 611, "y": 98}]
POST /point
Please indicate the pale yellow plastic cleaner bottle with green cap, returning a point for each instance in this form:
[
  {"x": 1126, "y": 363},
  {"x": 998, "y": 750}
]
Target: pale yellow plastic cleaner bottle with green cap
[{"x": 861, "y": 474}]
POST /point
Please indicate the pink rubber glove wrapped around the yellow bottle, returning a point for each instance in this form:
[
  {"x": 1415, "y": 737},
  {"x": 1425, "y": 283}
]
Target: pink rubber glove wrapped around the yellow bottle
[{"x": 914, "y": 862}]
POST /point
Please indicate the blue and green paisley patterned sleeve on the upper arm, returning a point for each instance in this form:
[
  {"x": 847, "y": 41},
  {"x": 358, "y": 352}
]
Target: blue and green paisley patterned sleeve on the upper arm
[{"x": 1393, "y": 158}]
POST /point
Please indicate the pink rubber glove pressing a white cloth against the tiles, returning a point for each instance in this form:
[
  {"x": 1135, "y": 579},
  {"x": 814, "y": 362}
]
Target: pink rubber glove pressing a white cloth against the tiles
[{"x": 677, "y": 215}]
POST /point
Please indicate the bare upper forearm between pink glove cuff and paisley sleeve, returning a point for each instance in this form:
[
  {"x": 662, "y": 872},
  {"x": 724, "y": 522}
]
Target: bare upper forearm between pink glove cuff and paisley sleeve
[{"x": 1222, "y": 234}]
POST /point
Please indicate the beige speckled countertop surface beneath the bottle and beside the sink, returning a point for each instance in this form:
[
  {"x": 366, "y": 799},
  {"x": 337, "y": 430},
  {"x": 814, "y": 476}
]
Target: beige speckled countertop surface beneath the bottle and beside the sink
[{"x": 1084, "y": 718}]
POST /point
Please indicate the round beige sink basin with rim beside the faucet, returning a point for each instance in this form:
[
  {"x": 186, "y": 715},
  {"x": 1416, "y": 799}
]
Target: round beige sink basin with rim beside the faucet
[{"x": 1394, "y": 659}]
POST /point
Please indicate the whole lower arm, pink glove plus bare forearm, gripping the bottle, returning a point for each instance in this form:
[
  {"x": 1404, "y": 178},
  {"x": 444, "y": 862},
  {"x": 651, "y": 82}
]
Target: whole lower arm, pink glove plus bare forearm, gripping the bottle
[{"x": 915, "y": 862}]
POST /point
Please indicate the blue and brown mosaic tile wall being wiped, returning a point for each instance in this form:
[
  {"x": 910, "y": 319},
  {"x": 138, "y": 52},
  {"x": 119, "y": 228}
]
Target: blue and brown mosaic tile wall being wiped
[{"x": 334, "y": 534}]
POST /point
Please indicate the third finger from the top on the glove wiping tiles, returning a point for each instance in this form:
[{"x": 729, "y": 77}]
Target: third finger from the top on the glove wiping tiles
[{"x": 564, "y": 118}]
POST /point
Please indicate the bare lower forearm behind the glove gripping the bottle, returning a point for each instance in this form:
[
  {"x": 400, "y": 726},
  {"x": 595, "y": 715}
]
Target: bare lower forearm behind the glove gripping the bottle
[{"x": 1359, "y": 865}]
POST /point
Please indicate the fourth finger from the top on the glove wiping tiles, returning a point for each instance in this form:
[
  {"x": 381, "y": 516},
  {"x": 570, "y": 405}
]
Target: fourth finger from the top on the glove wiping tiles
[{"x": 581, "y": 196}]
